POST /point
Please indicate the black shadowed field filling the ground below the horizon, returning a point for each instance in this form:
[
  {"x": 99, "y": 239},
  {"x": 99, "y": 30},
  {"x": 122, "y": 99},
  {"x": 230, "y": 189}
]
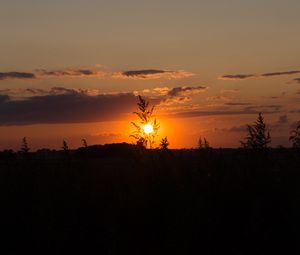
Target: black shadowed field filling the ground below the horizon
[{"x": 119, "y": 199}]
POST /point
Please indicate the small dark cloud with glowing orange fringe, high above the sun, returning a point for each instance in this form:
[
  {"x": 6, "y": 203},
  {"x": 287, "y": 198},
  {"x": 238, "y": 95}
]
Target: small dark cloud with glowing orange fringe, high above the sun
[{"x": 149, "y": 74}]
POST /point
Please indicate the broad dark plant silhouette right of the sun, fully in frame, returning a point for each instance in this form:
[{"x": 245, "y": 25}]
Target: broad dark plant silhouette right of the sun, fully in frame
[{"x": 258, "y": 136}]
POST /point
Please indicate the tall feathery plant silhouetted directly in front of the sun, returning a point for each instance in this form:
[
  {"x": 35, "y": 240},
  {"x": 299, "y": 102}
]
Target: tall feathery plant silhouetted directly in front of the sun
[{"x": 146, "y": 118}]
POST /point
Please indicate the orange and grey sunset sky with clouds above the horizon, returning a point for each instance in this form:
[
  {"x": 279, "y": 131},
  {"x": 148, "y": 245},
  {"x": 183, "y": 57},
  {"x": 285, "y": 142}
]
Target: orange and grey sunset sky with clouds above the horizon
[{"x": 71, "y": 69}]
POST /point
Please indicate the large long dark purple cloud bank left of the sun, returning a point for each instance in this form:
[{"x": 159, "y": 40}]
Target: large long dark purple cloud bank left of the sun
[{"x": 68, "y": 106}]
